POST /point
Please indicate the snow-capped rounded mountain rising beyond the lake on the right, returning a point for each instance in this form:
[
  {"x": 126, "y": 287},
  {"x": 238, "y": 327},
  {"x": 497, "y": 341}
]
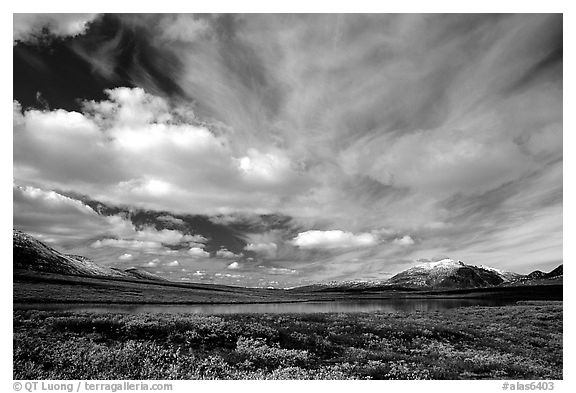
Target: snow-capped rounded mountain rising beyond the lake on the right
[{"x": 446, "y": 274}]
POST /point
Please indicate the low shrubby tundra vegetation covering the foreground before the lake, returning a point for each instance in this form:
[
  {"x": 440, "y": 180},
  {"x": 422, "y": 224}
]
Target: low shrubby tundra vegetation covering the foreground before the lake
[{"x": 523, "y": 341}]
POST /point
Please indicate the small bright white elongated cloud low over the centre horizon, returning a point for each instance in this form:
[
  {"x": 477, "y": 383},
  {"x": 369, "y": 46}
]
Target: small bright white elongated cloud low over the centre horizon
[{"x": 333, "y": 239}]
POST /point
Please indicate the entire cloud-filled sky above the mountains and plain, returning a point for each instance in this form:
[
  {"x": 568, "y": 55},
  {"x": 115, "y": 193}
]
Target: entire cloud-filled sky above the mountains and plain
[{"x": 281, "y": 150}]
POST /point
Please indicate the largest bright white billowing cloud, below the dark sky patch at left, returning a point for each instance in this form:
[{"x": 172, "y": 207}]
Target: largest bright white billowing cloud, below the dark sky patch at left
[{"x": 137, "y": 149}]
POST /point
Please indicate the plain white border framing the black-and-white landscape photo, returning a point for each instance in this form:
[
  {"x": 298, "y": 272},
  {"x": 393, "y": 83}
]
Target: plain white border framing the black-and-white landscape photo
[{"x": 437, "y": 6}]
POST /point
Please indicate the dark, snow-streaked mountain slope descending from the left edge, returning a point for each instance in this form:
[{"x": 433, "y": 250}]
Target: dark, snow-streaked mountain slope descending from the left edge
[{"x": 33, "y": 255}]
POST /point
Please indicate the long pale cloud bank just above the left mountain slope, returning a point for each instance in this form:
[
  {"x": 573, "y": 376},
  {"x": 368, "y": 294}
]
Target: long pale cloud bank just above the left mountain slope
[{"x": 68, "y": 224}]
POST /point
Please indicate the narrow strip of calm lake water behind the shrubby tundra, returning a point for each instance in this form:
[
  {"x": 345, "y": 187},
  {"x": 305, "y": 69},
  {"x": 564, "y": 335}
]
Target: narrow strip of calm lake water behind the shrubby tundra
[{"x": 384, "y": 305}]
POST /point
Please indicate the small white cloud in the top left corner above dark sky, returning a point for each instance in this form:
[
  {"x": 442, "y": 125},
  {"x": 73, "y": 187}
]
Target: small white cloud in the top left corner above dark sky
[{"x": 31, "y": 27}]
